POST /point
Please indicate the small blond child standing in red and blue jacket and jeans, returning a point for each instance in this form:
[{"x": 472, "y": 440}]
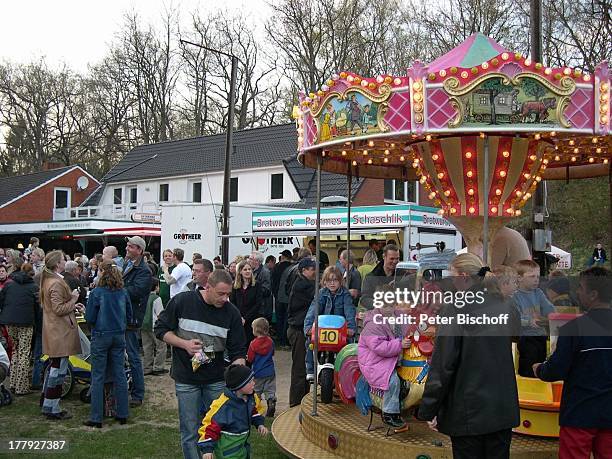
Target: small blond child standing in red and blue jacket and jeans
[{"x": 259, "y": 356}]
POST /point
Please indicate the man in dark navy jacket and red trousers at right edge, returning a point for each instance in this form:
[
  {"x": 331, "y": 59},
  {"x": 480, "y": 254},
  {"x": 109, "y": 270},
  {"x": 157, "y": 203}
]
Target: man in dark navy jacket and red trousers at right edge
[{"x": 582, "y": 361}]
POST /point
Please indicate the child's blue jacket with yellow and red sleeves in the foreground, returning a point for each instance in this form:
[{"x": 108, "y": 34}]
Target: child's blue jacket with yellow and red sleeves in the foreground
[{"x": 227, "y": 426}]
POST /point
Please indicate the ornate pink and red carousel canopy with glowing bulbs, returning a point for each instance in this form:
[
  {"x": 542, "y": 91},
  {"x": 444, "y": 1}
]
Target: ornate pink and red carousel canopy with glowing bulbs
[{"x": 543, "y": 122}]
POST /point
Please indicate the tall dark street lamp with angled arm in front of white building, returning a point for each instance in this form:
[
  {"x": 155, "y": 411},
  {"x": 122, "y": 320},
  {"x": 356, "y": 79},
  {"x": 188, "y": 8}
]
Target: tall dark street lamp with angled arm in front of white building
[{"x": 228, "y": 147}]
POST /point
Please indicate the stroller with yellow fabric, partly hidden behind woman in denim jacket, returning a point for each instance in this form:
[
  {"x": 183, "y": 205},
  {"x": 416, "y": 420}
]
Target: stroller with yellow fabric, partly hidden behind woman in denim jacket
[{"x": 79, "y": 371}]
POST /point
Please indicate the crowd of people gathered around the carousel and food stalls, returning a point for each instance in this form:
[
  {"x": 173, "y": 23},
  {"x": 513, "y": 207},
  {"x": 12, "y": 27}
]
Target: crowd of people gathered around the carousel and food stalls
[{"x": 218, "y": 322}]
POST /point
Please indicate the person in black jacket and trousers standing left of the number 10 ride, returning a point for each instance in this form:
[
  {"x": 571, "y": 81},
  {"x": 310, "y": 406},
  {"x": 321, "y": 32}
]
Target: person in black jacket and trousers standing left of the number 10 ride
[{"x": 300, "y": 298}]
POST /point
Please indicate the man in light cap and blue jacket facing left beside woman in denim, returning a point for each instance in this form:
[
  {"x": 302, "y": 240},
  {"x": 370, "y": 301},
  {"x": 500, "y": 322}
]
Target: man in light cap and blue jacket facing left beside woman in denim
[{"x": 137, "y": 280}]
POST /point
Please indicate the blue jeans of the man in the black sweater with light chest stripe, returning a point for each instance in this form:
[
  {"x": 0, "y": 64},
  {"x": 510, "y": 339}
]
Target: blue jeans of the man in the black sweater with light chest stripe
[{"x": 194, "y": 402}]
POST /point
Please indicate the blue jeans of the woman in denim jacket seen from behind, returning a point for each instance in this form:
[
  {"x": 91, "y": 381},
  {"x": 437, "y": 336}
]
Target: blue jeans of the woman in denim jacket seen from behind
[{"x": 108, "y": 349}]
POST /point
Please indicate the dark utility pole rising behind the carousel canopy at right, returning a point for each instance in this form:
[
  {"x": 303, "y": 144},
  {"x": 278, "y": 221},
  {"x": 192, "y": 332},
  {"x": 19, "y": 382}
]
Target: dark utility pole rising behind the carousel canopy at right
[{"x": 539, "y": 235}]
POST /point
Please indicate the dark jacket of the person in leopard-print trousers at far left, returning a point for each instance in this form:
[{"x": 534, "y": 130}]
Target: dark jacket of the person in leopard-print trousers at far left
[{"x": 18, "y": 300}]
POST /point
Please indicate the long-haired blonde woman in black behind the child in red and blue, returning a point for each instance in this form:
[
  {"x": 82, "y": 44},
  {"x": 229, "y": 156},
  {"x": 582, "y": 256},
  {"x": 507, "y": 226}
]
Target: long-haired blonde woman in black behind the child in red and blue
[{"x": 247, "y": 296}]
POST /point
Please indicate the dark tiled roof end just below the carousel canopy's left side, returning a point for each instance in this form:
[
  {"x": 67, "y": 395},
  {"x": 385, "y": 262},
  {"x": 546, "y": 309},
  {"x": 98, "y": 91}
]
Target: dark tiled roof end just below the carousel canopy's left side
[{"x": 305, "y": 181}]
